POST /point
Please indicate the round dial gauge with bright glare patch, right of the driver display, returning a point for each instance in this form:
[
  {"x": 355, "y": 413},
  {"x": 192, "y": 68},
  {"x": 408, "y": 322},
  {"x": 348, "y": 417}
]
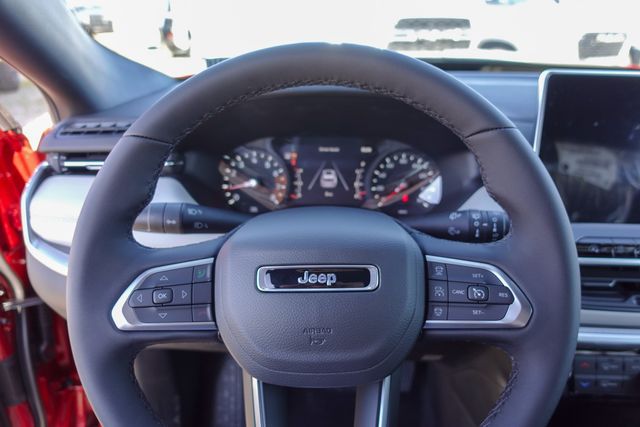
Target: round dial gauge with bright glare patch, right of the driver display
[{"x": 404, "y": 182}]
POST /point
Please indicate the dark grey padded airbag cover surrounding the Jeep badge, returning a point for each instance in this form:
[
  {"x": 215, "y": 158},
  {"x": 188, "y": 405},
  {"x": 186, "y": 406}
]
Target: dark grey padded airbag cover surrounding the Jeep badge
[{"x": 320, "y": 338}]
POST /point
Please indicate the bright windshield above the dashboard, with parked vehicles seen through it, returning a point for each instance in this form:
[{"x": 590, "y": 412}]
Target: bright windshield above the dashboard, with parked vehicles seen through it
[{"x": 181, "y": 37}]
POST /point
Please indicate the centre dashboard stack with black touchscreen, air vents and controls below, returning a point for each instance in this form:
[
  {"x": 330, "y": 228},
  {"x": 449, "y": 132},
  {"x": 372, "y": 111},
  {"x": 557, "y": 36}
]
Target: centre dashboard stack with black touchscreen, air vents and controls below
[{"x": 588, "y": 137}]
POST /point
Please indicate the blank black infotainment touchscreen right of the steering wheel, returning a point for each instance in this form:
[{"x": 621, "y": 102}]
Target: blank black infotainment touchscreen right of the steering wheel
[{"x": 589, "y": 141}]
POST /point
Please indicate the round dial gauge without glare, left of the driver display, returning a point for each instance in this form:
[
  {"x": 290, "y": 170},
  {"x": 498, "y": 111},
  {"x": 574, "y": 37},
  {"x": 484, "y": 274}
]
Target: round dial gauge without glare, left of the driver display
[{"x": 253, "y": 180}]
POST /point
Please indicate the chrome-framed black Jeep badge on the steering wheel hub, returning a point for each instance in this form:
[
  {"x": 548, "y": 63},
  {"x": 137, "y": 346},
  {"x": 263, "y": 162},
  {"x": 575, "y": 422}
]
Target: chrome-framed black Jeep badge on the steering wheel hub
[{"x": 318, "y": 278}]
